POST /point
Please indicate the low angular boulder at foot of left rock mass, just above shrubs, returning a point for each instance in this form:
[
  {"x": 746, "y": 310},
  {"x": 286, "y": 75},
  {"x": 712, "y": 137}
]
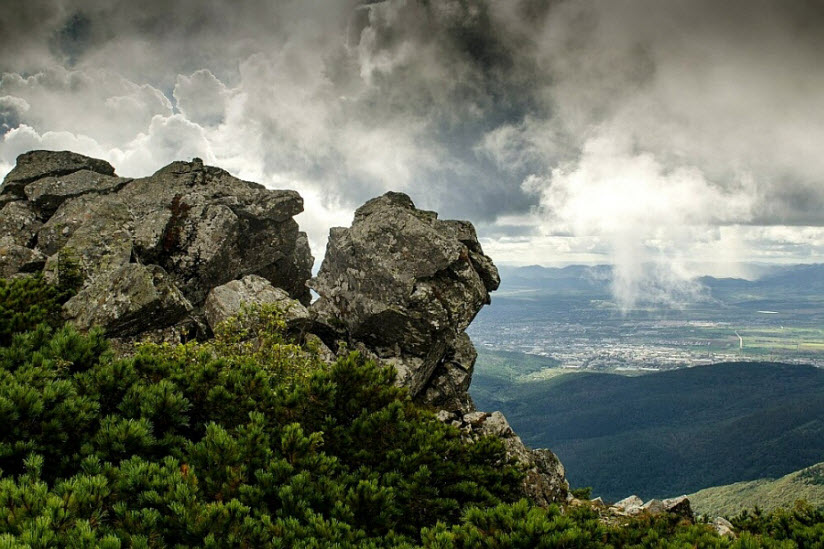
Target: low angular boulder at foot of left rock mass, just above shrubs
[{"x": 128, "y": 301}]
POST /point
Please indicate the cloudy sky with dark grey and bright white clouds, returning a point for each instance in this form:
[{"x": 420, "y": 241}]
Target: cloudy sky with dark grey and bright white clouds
[{"x": 667, "y": 138}]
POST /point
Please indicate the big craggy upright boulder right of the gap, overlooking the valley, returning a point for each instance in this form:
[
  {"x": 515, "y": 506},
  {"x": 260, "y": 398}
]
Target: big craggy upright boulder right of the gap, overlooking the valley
[{"x": 404, "y": 285}]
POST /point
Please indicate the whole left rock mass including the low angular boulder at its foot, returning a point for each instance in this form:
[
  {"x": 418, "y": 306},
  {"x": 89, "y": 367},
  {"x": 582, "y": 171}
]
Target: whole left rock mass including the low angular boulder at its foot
[{"x": 147, "y": 251}]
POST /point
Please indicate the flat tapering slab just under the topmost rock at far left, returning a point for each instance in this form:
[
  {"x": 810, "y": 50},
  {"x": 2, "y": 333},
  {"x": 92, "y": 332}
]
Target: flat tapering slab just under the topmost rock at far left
[{"x": 50, "y": 192}]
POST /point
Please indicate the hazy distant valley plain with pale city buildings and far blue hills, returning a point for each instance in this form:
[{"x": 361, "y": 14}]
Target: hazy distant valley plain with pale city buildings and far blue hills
[{"x": 568, "y": 315}]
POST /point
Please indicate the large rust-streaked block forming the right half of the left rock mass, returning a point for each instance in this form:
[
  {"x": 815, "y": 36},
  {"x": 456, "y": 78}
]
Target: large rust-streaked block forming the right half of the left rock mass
[{"x": 207, "y": 228}]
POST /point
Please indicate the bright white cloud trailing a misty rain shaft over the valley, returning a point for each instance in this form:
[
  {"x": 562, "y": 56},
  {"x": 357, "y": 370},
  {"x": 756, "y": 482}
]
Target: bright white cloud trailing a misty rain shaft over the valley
[{"x": 650, "y": 215}]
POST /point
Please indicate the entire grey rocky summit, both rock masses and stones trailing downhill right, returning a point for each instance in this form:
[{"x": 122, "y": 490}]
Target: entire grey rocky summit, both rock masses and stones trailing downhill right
[{"x": 170, "y": 256}]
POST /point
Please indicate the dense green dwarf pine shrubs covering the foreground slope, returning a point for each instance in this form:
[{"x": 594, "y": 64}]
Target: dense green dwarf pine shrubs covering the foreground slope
[{"x": 250, "y": 440}]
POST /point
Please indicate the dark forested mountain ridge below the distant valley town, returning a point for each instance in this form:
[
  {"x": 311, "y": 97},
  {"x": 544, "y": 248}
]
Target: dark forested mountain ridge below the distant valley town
[{"x": 668, "y": 433}]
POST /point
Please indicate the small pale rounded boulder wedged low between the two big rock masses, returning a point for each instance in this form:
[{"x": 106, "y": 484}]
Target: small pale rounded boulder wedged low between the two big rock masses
[{"x": 227, "y": 300}]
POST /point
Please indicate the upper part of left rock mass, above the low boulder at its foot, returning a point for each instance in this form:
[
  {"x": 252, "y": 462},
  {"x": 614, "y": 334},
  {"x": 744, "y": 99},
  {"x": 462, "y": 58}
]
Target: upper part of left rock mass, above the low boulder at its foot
[{"x": 201, "y": 225}]
